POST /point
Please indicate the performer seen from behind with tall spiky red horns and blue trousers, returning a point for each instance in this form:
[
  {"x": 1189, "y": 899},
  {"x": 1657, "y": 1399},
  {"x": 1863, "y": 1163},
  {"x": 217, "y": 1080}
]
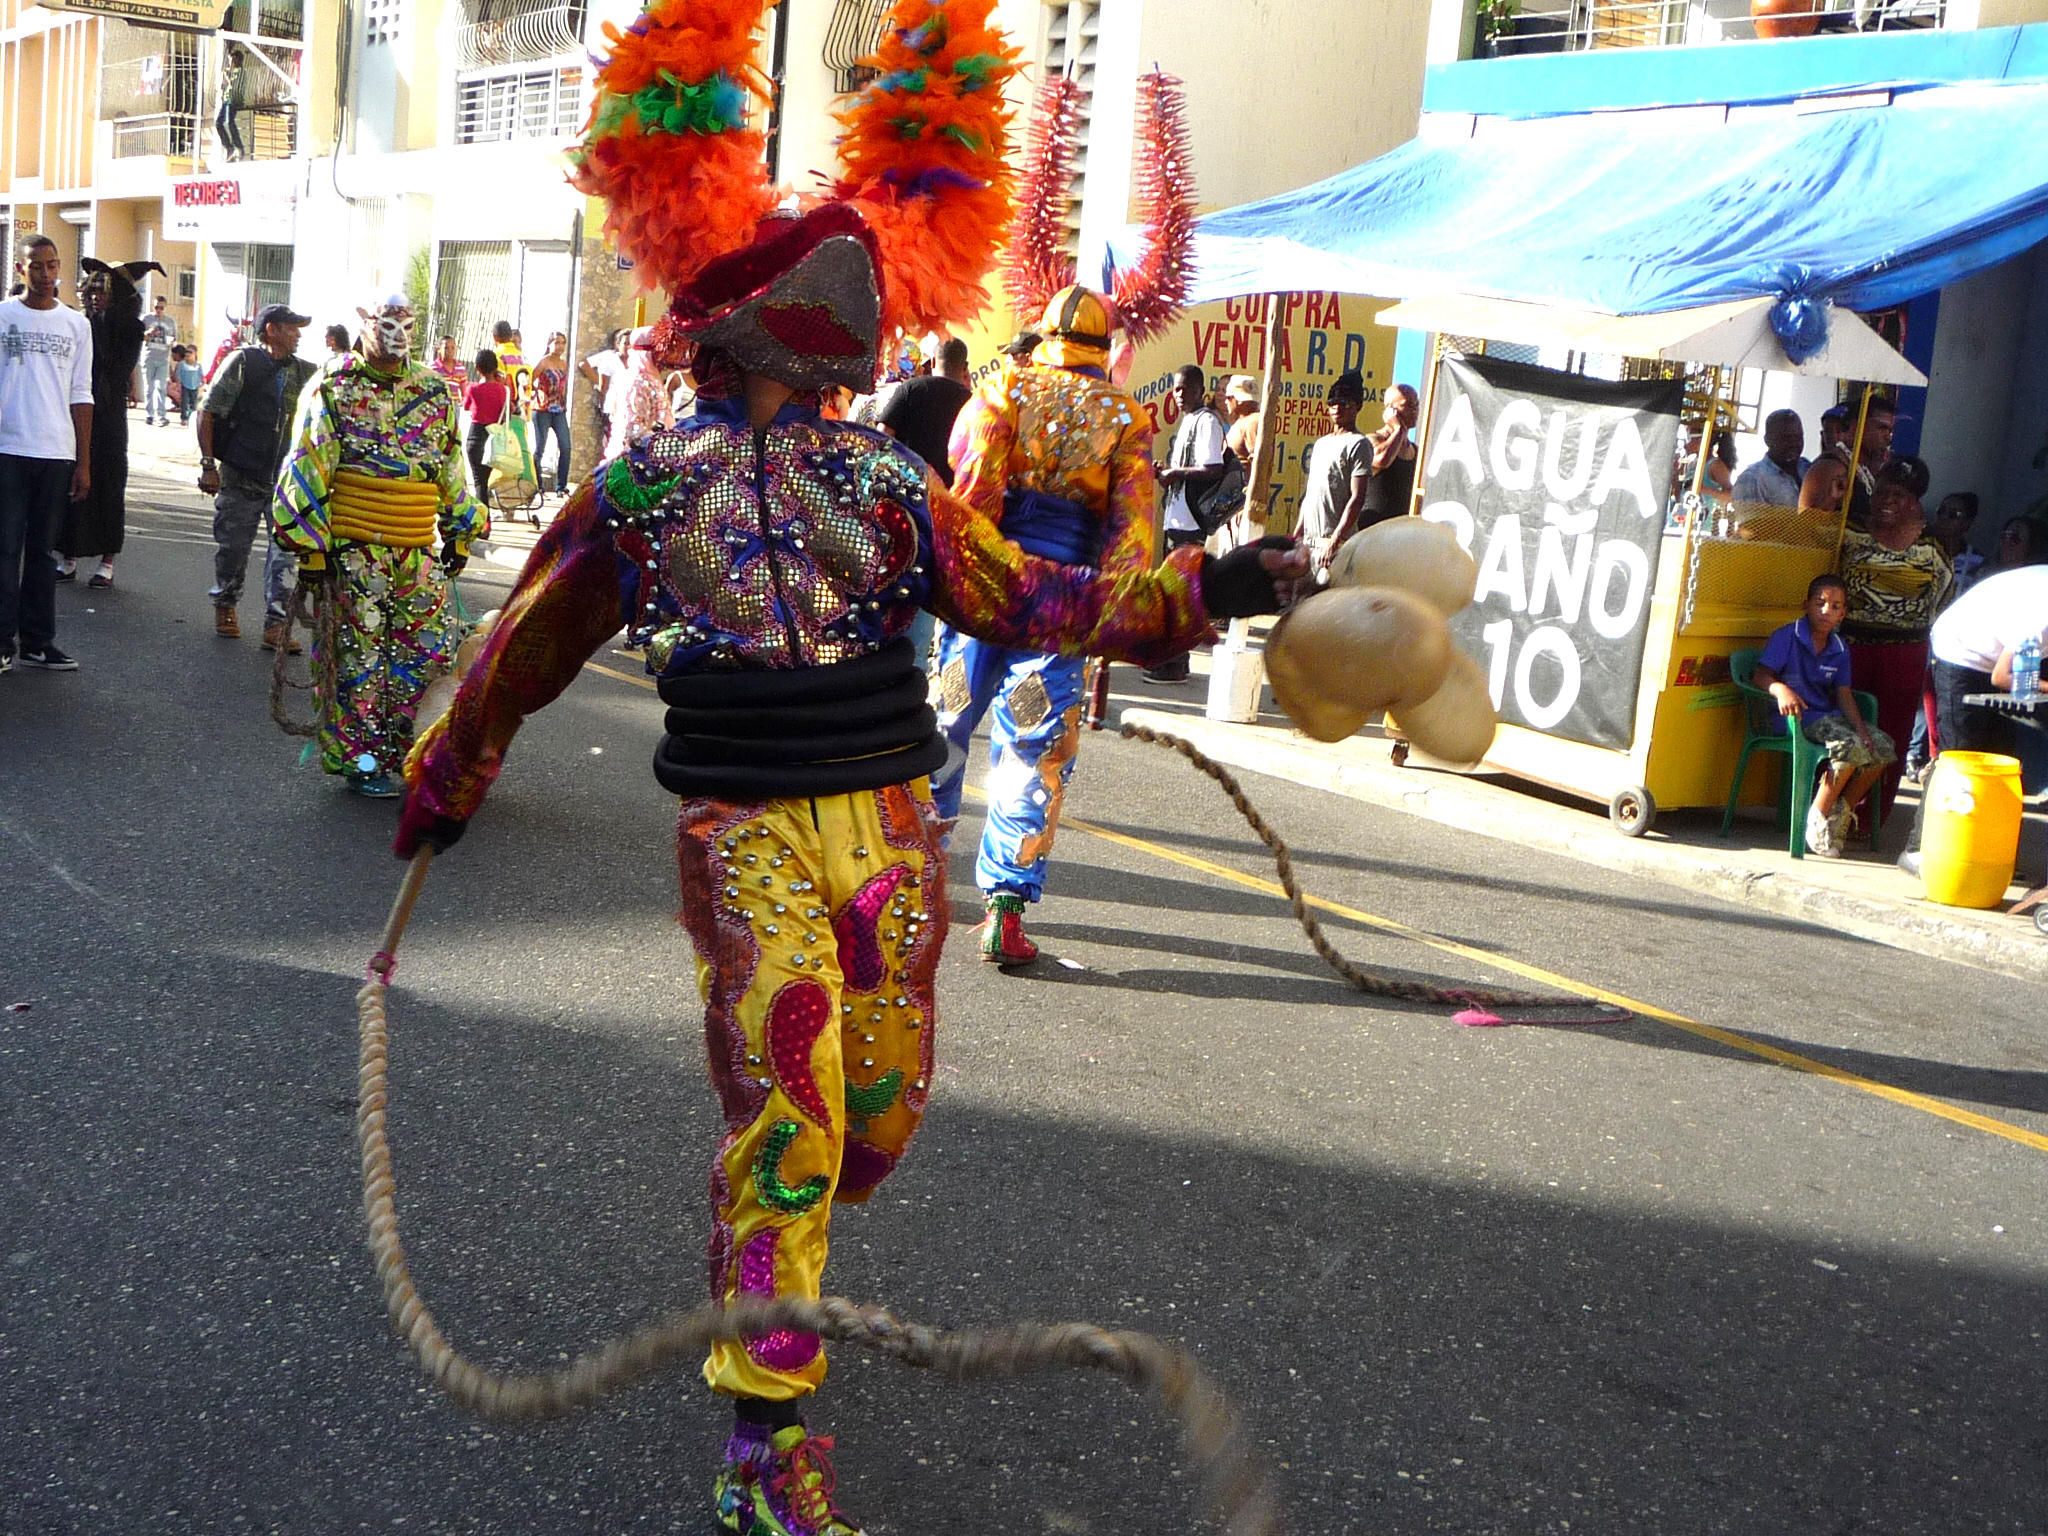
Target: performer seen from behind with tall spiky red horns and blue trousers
[{"x": 1056, "y": 454}]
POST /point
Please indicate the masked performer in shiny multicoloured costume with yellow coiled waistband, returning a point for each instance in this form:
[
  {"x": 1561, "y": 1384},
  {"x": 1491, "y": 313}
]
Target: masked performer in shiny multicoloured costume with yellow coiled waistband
[{"x": 376, "y": 503}]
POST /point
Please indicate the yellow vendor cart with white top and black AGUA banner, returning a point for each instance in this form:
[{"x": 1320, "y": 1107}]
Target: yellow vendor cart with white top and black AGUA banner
[{"x": 1654, "y": 720}]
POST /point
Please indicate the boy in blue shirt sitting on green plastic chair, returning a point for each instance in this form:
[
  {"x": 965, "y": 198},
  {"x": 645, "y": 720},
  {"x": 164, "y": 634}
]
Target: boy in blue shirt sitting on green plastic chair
[{"x": 1805, "y": 669}]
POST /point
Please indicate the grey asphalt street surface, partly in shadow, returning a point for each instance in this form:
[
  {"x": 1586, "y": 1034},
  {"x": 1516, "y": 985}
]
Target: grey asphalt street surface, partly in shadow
[{"x": 1621, "y": 1279}]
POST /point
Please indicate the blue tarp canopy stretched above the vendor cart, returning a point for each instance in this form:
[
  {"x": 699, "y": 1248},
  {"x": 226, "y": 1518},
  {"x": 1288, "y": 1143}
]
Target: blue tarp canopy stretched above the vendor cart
[{"x": 1641, "y": 214}]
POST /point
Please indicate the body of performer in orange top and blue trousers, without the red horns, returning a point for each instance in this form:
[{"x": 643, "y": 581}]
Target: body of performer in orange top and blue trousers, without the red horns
[{"x": 1060, "y": 460}]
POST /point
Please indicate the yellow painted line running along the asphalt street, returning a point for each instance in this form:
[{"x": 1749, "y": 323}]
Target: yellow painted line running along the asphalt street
[{"x": 1537, "y": 974}]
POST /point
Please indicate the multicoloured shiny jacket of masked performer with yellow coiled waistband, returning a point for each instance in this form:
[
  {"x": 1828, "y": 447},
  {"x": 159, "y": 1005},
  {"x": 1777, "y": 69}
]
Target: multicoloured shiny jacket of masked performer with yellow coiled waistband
[{"x": 384, "y": 425}]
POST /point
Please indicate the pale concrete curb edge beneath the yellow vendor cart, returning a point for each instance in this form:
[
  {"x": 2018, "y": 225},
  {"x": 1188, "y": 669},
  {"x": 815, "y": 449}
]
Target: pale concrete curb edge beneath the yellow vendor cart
[{"x": 1459, "y": 804}]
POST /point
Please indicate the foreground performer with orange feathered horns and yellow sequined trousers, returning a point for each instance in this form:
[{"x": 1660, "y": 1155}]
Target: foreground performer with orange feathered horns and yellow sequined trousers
[{"x": 771, "y": 562}]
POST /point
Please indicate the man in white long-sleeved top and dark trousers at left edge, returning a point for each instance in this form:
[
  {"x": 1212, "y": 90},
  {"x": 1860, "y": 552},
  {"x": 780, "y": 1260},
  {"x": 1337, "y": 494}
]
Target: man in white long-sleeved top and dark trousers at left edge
[{"x": 46, "y": 427}]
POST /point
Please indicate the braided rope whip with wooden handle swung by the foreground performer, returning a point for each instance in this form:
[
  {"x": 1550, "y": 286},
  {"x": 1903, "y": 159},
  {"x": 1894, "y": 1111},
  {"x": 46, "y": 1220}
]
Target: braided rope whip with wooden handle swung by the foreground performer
[{"x": 1236, "y": 1484}]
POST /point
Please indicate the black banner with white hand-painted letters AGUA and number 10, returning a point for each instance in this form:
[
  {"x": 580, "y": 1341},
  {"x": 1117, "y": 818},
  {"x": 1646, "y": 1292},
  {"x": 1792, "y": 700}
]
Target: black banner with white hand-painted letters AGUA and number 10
[{"x": 1558, "y": 488}]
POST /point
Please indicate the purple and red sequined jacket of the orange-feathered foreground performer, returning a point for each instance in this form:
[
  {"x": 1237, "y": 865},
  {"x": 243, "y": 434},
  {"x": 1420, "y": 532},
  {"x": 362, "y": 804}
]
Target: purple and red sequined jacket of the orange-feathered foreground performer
[{"x": 804, "y": 544}]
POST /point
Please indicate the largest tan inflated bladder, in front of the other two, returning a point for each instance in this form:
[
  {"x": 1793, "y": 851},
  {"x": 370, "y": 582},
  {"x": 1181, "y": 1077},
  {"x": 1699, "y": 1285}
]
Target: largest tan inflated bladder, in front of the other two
[{"x": 1349, "y": 652}]
